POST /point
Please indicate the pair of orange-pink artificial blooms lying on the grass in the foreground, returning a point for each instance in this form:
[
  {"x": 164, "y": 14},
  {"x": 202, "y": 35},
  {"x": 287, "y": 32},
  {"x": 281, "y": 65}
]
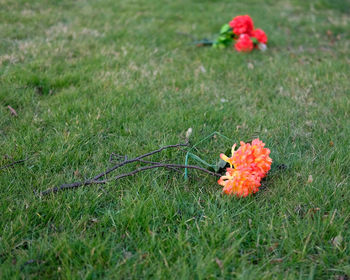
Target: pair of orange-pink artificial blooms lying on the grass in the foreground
[{"x": 248, "y": 165}]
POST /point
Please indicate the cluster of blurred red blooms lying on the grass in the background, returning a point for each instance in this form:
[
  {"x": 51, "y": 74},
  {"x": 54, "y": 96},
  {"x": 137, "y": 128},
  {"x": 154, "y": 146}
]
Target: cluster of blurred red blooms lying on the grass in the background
[{"x": 248, "y": 38}]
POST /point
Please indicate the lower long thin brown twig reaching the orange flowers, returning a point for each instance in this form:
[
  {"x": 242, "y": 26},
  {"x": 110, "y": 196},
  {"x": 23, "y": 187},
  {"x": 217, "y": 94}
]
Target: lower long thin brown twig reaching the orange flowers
[{"x": 90, "y": 182}]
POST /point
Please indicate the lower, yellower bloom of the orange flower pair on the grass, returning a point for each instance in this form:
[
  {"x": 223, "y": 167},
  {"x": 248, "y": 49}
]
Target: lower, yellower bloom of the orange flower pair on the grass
[{"x": 239, "y": 182}]
